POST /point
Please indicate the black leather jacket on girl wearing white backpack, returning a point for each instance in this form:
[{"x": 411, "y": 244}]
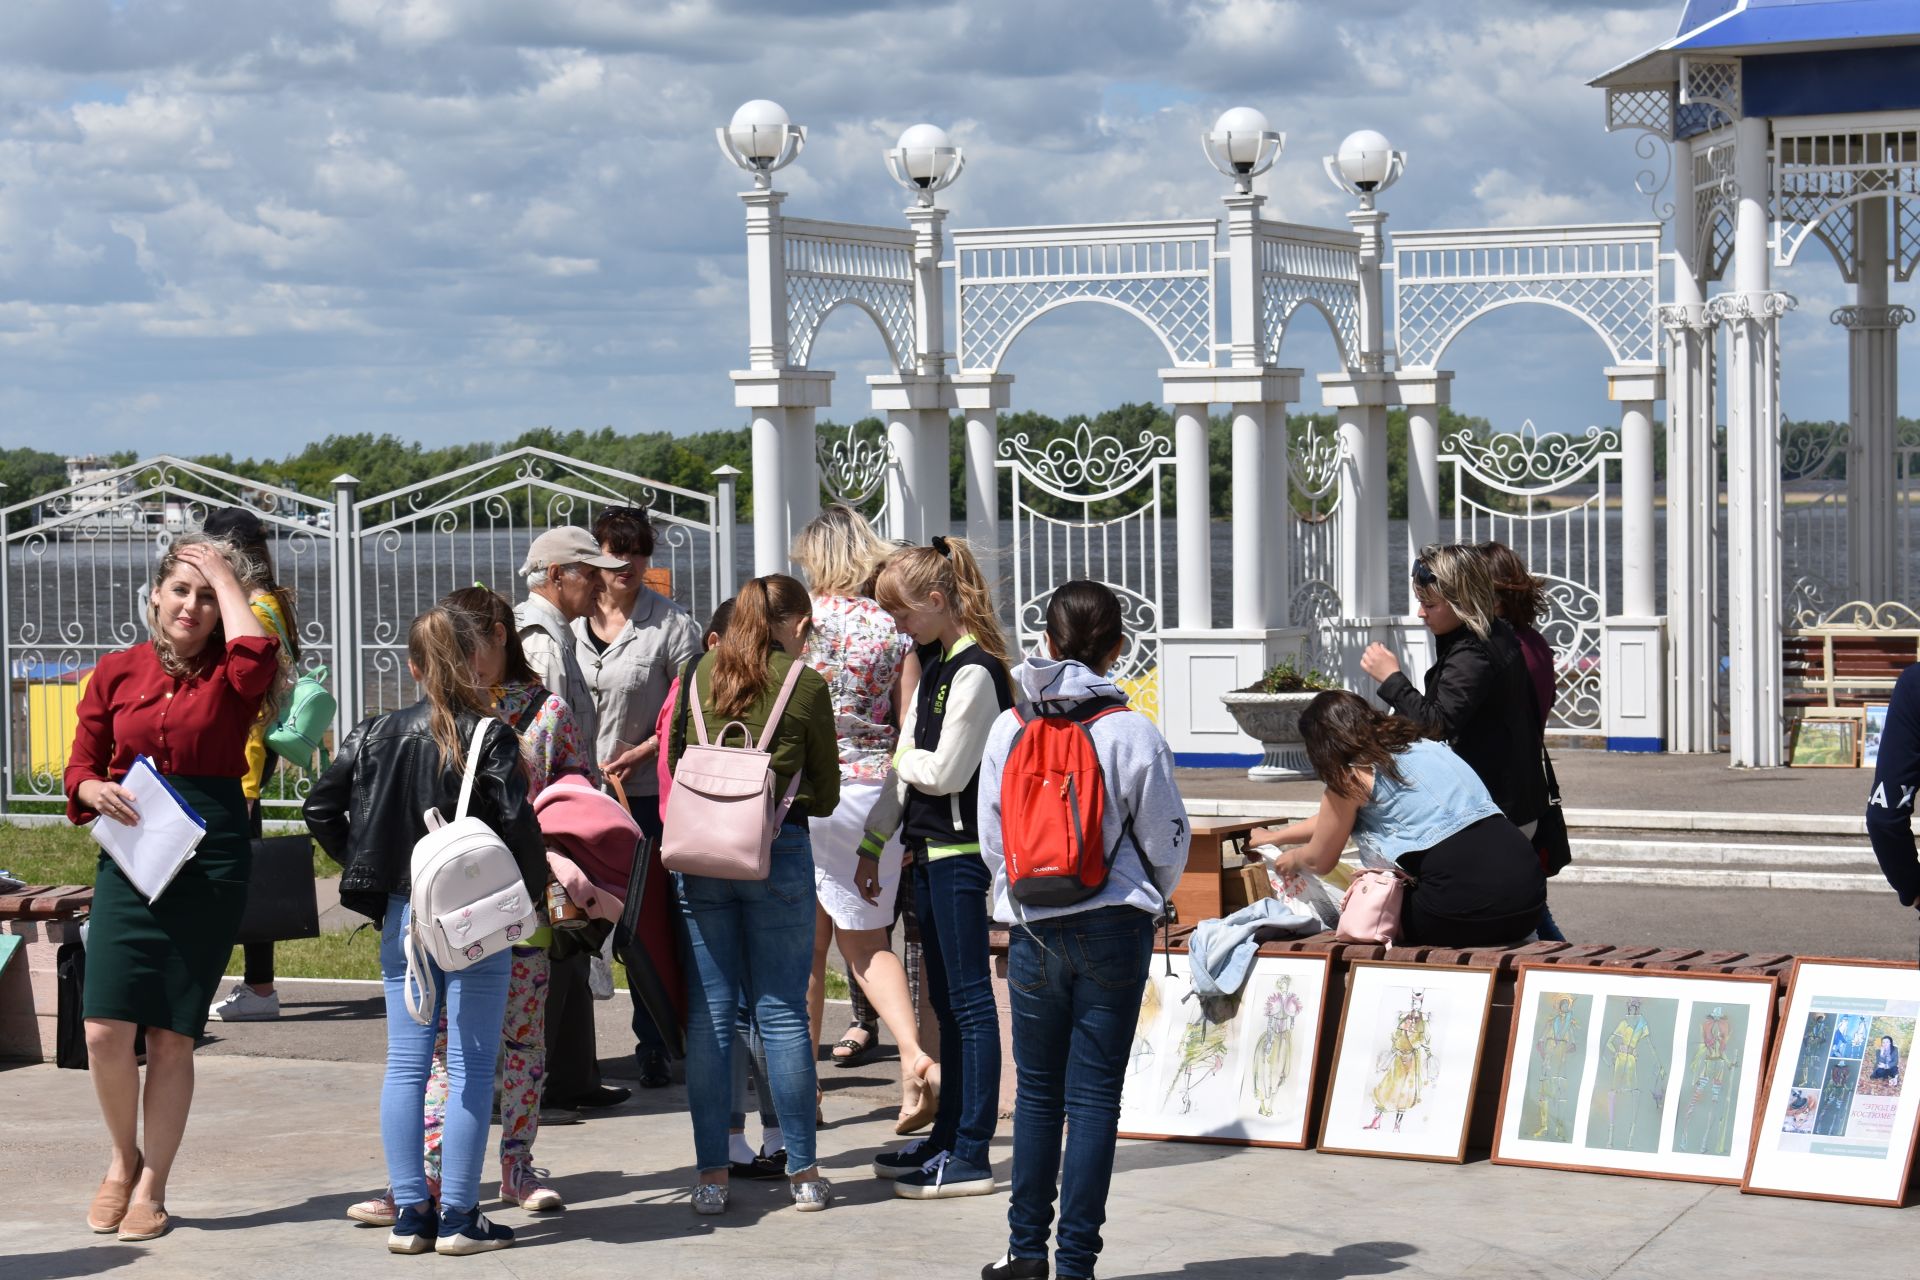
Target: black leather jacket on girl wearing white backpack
[{"x": 368, "y": 811}]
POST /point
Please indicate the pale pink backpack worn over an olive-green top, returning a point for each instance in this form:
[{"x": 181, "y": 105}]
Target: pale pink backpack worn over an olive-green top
[{"x": 725, "y": 815}]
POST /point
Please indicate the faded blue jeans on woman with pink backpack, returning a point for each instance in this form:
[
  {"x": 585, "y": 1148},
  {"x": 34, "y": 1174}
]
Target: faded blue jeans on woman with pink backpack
[{"x": 754, "y": 937}]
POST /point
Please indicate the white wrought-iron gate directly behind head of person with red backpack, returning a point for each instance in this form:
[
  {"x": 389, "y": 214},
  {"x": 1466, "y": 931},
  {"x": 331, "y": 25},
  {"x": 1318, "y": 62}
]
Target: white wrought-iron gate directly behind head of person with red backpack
[{"x": 1090, "y": 508}]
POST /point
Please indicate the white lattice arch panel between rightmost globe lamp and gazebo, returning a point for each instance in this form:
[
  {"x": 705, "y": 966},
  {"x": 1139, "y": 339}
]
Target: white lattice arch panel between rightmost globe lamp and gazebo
[{"x": 1604, "y": 275}]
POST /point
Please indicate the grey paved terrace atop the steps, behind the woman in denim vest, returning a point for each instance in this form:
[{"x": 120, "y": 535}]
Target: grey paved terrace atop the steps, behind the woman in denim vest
[{"x": 1627, "y": 782}]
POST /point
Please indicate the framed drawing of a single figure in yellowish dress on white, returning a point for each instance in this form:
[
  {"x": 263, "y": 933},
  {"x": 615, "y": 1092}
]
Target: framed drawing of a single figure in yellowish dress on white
[{"x": 1406, "y": 1062}]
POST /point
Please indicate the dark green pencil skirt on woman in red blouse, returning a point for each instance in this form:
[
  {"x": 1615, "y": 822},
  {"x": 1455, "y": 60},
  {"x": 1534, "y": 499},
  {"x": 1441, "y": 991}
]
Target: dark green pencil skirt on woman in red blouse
[{"x": 160, "y": 964}]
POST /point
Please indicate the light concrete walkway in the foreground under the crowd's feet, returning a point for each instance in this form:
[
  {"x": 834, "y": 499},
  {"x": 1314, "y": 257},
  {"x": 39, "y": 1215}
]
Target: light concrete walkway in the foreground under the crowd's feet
[{"x": 279, "y": 1149}]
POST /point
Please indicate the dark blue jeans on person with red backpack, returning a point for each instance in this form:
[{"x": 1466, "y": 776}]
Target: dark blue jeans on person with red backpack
[{"x": 1076, "y": 985}]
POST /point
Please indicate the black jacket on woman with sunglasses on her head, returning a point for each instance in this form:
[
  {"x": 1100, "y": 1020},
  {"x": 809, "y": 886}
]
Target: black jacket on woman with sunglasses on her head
[{"x": 1479, "y": 699}]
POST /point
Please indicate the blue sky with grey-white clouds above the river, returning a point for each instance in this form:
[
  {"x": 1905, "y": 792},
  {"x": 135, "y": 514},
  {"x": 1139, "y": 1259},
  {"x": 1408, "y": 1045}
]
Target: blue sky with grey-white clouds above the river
[{"x": 251, "y": 224}]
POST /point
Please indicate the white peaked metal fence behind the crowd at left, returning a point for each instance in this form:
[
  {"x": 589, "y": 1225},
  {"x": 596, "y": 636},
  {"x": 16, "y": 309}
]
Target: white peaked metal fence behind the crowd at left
[{"x": 80, "y": 563}]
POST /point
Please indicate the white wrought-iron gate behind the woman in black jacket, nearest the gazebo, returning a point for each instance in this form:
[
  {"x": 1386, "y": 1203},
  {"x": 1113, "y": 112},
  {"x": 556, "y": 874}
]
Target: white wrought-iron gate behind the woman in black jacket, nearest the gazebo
[{"x": 1556, "y": 519}]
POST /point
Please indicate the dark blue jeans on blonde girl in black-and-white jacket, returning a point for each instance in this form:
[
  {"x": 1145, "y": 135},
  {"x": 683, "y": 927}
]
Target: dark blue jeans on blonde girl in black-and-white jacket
[{"x": 951, "y": 897}]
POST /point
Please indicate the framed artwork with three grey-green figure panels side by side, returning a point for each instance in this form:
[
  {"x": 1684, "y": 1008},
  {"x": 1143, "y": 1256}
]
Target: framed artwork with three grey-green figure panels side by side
[{"x": 1635, "y": 1072}]
